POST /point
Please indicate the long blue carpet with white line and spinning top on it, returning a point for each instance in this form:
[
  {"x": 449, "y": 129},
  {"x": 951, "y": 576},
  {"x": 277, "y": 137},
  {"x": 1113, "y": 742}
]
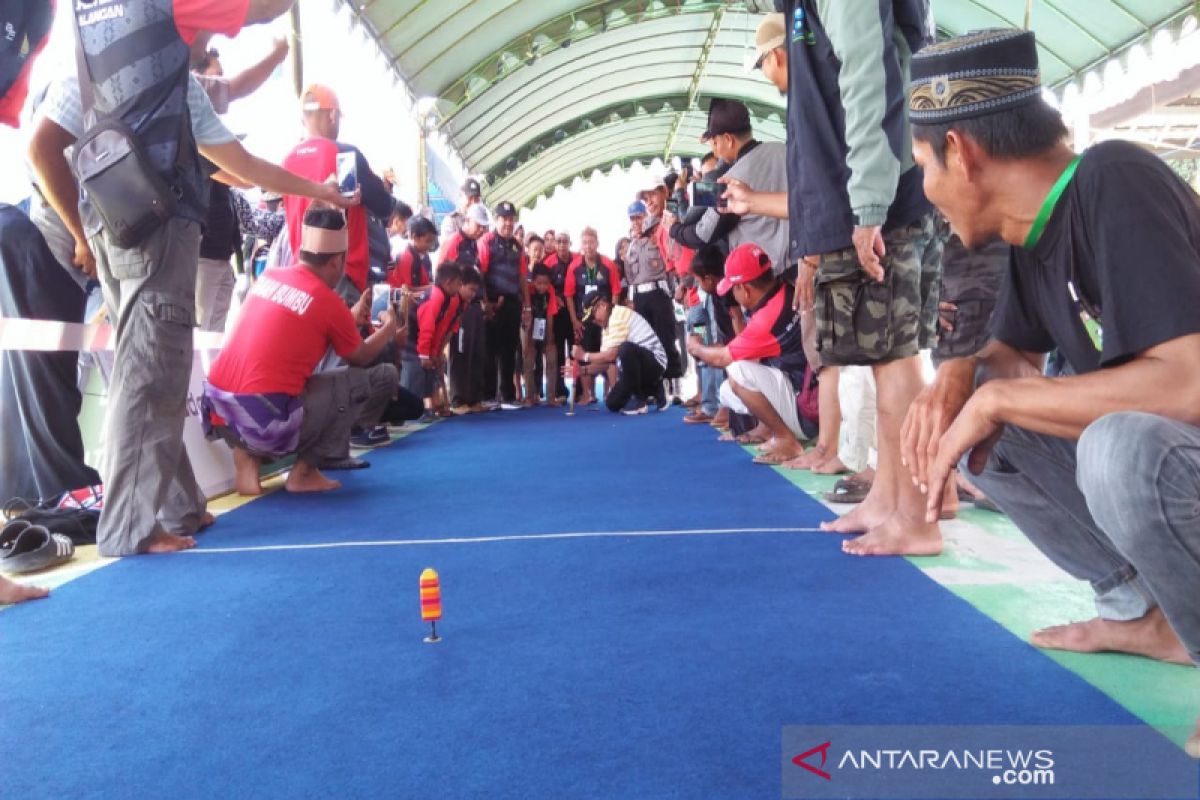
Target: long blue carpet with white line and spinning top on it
[{"x": 629, "y": 667}]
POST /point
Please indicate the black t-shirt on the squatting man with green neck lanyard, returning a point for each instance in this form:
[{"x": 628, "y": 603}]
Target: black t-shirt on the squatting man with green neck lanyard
[{"x": 1126, "y": 232}]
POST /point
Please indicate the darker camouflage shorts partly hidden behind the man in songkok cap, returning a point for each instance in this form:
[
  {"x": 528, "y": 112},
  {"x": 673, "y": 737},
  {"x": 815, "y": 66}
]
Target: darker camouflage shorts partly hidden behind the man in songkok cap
[{"x": 971, "y": 280}]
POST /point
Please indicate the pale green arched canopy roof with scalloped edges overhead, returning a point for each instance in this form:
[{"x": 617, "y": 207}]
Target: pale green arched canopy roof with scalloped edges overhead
[{"x": 533, "y": 93}]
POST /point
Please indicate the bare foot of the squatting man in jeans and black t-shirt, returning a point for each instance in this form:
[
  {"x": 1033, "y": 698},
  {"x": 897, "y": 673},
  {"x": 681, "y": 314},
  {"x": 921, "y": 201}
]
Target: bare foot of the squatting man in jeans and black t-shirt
[{"x": 1150, "y": 636}]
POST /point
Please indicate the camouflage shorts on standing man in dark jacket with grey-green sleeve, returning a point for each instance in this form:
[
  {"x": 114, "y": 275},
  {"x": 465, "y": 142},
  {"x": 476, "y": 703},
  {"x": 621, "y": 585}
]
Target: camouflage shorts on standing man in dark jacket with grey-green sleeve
[{"x": 865, "y": 322}]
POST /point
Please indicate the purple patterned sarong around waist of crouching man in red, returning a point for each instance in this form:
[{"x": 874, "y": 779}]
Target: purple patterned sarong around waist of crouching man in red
[{"x": 268, "y": 425}]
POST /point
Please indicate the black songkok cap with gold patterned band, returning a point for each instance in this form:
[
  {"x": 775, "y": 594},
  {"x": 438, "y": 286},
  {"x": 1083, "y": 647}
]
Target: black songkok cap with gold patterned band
[{"x": 975, "y": 75}]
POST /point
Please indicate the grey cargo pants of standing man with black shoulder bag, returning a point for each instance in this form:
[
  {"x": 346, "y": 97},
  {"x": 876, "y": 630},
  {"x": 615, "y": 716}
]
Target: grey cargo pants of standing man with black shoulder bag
[{"x": 151, "y": 292}]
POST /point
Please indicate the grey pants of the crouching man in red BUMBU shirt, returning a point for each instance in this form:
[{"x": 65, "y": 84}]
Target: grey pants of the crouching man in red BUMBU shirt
[{"x": 337, "y": 400}]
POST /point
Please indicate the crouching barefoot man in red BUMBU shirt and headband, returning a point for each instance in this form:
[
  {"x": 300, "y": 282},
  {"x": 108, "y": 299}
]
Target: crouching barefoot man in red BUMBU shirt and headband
[{"x": 262, "y": 396}]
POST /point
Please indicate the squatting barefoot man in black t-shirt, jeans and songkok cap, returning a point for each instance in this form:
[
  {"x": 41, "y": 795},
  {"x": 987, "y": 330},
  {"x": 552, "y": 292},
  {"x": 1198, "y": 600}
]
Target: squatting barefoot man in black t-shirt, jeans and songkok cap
[{"x": 1100, "y": 468}]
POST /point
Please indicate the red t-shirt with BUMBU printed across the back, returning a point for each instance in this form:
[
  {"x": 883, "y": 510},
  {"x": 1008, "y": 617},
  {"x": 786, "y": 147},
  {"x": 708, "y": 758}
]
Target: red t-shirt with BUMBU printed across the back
[{"x": 289, "y": 322}]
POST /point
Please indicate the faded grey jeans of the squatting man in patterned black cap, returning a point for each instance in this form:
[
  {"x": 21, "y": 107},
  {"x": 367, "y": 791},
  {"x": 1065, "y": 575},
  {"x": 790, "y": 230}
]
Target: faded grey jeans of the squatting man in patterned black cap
[{"x": 1120, "y": 509}]
